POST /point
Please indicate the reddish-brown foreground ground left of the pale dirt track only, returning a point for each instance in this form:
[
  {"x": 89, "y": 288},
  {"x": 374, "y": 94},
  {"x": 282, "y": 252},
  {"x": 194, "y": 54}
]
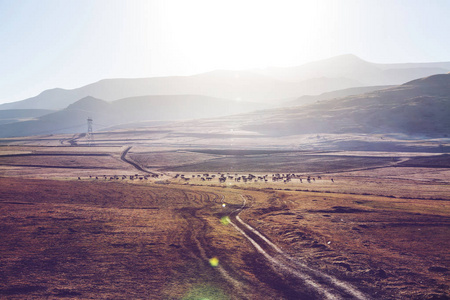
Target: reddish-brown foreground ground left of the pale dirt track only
[{"x": 110, "y": 240}]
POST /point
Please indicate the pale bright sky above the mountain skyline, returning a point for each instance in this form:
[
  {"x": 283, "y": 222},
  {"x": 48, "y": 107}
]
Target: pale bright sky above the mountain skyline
[{"x": 46, "y": 44}]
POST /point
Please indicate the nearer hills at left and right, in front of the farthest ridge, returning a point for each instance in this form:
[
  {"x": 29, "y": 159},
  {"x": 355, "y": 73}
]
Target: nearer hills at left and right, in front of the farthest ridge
[{"x": 417, "y": 108}]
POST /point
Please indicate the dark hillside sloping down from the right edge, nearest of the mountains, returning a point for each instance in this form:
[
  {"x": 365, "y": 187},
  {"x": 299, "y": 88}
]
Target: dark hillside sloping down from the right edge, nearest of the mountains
[{"x": 419, "y": 107}]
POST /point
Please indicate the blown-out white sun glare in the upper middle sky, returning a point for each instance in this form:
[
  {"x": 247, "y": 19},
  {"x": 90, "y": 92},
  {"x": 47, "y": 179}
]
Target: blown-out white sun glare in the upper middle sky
[{"x": 244, "y": 34}]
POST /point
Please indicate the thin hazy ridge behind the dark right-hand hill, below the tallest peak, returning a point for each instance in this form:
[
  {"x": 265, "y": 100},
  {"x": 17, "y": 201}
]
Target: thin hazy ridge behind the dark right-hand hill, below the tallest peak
[{"x": 308, "y": 99}]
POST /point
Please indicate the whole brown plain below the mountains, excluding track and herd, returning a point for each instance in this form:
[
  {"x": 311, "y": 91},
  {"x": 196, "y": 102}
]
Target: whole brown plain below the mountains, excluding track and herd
[{"x": 382, "y": 226}]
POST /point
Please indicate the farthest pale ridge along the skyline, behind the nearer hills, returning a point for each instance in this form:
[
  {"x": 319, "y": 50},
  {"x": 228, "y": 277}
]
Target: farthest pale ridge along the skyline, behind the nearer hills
[{"x": 270, "y": 85}]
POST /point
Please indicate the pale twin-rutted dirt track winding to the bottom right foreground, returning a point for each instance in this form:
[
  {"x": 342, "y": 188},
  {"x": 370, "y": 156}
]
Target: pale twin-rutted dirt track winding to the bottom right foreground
[{"x": 318, "y": 284}]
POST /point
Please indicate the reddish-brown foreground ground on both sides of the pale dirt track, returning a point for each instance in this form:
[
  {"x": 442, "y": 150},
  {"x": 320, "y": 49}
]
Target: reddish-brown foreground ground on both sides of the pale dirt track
[{"x": 120, "y": 240}]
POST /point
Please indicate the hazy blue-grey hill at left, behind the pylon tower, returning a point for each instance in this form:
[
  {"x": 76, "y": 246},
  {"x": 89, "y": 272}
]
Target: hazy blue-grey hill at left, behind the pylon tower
[{"x": 119, "y": 113}]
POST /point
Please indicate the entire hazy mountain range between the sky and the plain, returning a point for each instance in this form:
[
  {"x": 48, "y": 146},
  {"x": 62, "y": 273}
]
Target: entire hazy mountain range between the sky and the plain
[{"x": 418, "y": 107}]
